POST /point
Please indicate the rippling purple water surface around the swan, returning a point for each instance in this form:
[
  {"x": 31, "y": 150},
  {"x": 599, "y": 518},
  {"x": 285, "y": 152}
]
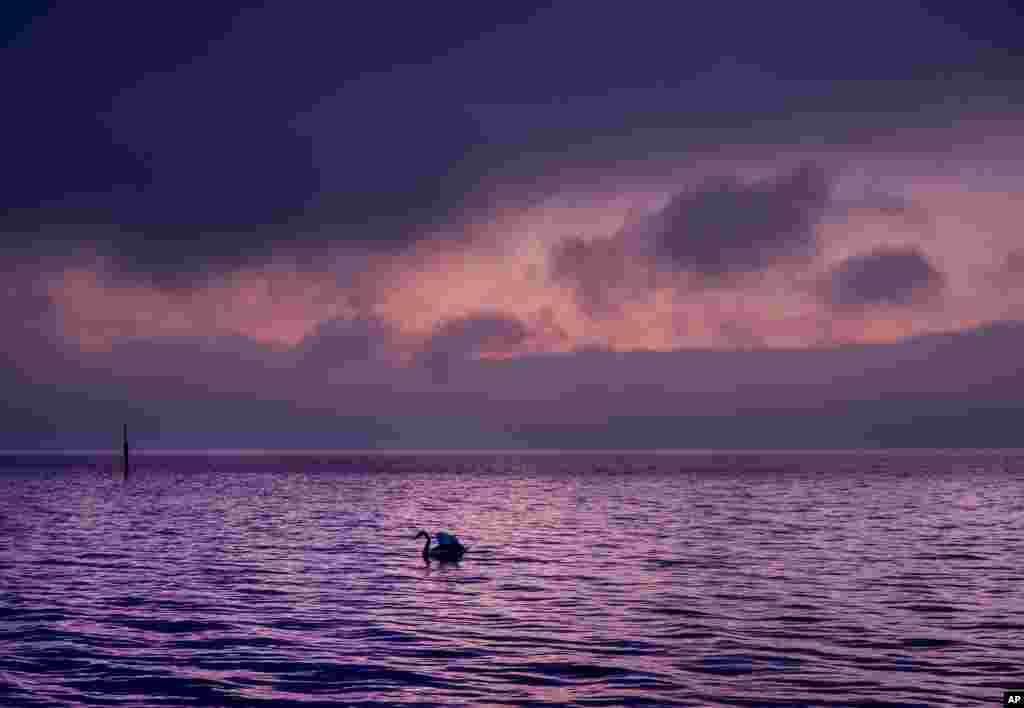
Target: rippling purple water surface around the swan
[{"x": 705, "y": 579}]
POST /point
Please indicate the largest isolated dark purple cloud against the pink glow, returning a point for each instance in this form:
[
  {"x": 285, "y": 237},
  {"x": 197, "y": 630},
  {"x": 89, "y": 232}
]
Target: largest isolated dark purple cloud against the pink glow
[{"x": 728, "y": 227}]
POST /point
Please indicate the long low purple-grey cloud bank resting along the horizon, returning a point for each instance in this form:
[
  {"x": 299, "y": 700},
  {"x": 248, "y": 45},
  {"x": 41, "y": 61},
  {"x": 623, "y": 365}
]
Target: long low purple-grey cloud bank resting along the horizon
[{"x": 232, "y": 392}]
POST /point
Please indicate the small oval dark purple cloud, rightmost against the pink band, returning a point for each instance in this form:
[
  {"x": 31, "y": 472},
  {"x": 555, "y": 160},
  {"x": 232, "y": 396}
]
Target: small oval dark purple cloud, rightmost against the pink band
[{"x": 884, "y": 277}]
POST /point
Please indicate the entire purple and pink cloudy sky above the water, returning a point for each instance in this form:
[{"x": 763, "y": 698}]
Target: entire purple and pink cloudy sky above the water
[{"x": 571, "y": 225}]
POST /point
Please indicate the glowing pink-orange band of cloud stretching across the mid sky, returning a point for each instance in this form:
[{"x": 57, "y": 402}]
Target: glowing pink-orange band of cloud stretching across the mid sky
[{"x": 579, "y": 274}]
